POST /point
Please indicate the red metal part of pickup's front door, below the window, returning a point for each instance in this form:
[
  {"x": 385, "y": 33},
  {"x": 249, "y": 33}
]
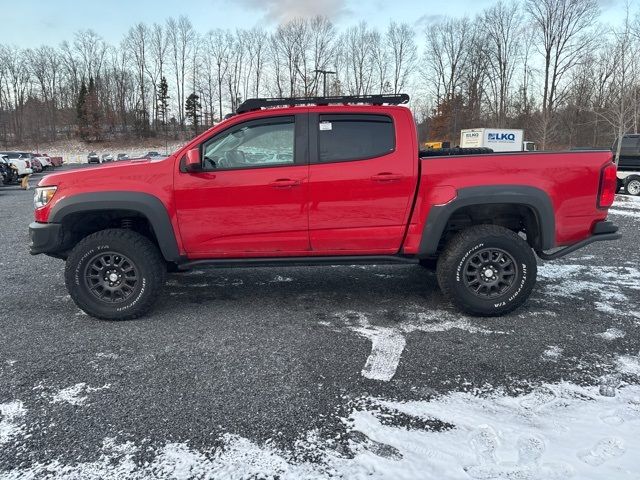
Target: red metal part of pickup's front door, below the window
[{"x": 236, "y": 212}]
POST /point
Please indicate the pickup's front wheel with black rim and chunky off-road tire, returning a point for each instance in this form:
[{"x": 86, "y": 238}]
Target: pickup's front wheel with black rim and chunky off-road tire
[{"x": 141, "y": 256}]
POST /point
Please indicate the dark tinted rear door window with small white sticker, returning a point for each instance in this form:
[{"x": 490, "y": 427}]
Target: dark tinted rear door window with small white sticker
[{"x": 354, "y": 137}]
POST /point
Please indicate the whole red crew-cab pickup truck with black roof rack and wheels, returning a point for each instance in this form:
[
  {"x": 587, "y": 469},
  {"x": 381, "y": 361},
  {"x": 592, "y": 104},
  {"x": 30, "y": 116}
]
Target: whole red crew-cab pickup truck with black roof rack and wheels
[{"x": 316, "y": 181}]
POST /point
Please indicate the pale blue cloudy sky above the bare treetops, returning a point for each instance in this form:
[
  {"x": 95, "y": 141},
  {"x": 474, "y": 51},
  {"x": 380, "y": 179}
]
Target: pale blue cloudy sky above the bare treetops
[{"x": 30, "y": 23}]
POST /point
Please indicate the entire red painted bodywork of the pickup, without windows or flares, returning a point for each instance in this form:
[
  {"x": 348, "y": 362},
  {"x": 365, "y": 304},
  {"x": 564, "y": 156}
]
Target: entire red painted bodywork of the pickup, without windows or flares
[{"x": 336, "y": 208}]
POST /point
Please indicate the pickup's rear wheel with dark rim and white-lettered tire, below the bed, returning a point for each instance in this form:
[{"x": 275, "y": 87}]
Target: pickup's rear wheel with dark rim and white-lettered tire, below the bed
[{"x": 487, "y": 270}]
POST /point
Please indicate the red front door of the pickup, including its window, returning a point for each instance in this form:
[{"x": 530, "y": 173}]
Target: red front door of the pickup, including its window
[{"x": 251, "y": 197}]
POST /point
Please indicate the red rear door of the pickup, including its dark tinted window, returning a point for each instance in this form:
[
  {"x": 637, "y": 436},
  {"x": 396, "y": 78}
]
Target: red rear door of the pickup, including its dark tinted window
[{"x": 361, "y": 183}]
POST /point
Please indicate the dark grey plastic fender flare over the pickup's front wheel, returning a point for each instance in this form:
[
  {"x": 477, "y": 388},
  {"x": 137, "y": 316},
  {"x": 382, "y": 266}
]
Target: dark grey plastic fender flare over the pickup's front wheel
[{"x": 148, "y": 205}]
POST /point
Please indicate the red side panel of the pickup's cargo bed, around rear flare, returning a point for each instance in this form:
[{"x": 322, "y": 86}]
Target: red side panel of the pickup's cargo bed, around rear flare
[{"x": 571, "y": 179}]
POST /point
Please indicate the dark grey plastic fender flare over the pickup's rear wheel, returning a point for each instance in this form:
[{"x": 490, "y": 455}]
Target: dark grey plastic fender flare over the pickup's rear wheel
[{"x": 531, "y": 197}]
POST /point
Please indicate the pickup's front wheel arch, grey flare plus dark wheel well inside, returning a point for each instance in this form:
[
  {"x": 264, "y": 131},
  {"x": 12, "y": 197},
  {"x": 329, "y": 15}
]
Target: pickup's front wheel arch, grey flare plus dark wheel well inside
[{"x": 119, "y": 206}]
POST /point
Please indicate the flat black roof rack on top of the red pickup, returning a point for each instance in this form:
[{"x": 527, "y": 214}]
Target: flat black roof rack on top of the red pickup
[{"x": 258, "y": 103}]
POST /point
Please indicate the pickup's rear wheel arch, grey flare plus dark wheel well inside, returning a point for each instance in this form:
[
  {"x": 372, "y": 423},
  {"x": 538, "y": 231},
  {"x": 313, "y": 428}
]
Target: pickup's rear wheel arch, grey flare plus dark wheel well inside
[{"x": 498, "y": 205}]
